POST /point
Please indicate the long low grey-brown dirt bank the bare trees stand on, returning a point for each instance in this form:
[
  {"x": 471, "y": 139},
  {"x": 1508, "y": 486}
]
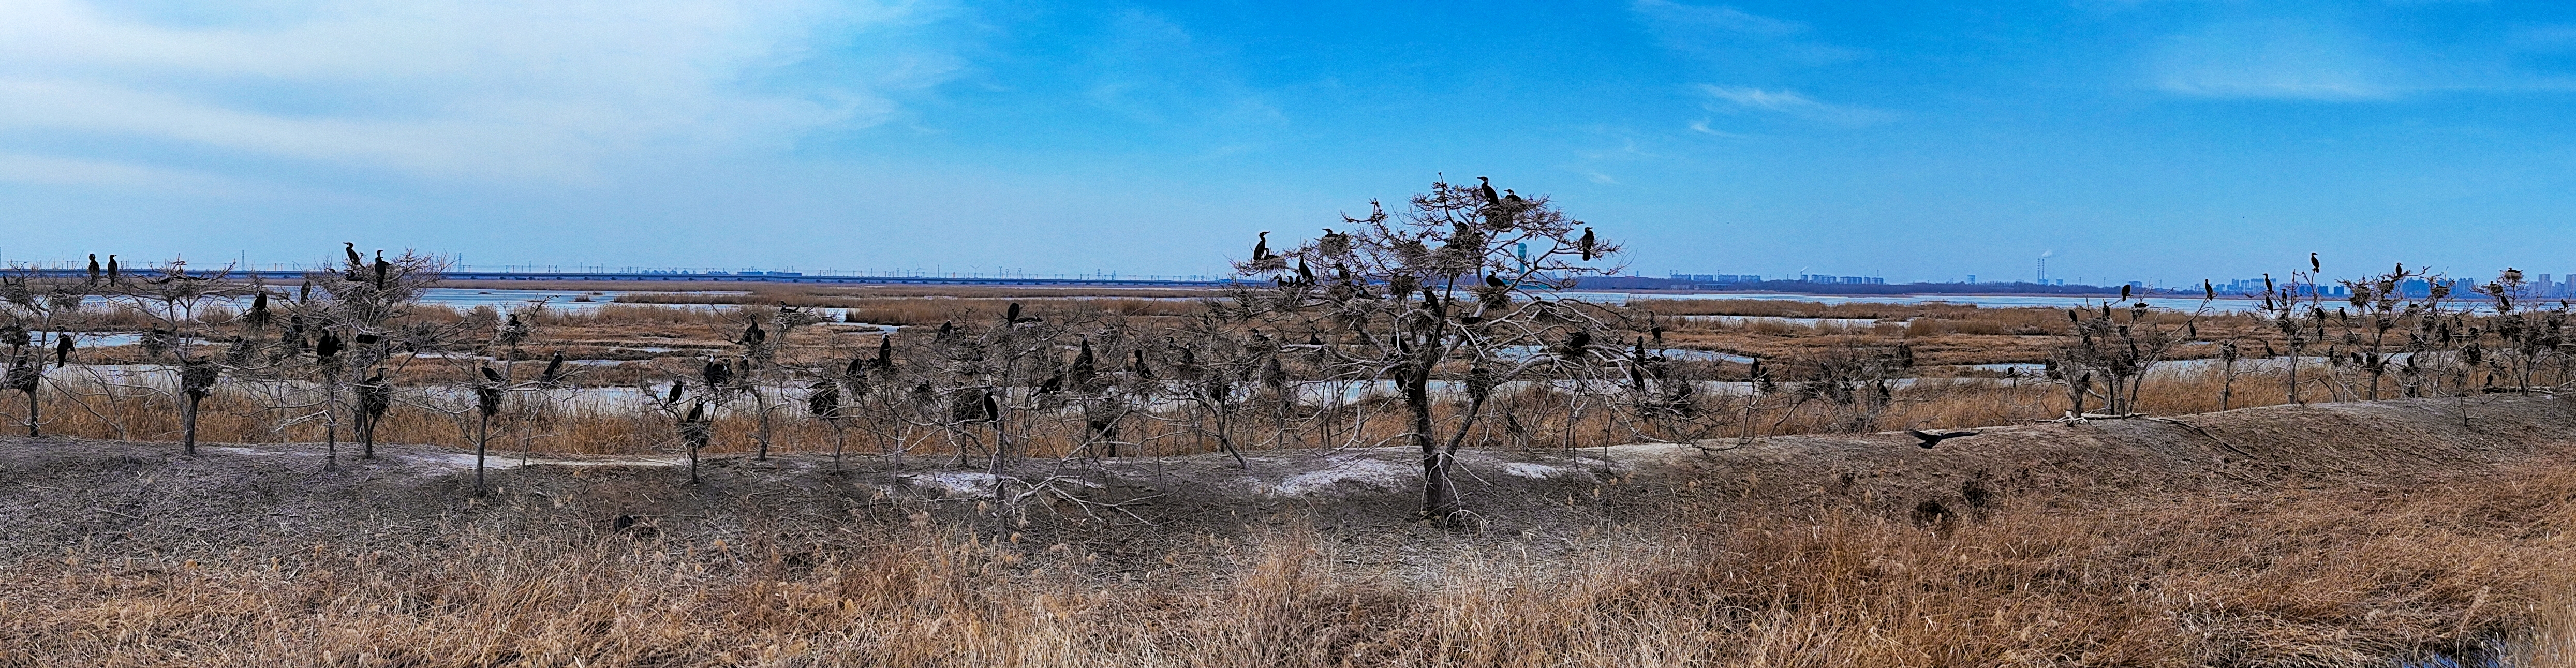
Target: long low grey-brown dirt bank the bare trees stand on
[{"x": 148, "y": 499}]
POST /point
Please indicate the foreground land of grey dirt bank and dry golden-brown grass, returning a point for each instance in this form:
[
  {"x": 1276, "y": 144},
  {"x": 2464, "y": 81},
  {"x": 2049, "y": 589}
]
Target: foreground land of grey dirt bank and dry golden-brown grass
[{"x": 2333, "y": 535}]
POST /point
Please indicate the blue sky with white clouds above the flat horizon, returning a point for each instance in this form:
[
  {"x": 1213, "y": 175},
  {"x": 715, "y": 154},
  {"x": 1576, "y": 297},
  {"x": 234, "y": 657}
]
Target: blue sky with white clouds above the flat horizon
[{"x": 1908, "y": 141}]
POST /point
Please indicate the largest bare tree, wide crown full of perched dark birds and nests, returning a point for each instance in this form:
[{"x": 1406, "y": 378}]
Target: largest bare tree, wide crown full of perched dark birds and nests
[{"x": 1459, "y": 288}]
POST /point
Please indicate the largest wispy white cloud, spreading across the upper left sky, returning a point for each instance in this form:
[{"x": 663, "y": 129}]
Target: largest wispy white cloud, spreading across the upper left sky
[{"x": 452, "y": 89}]
